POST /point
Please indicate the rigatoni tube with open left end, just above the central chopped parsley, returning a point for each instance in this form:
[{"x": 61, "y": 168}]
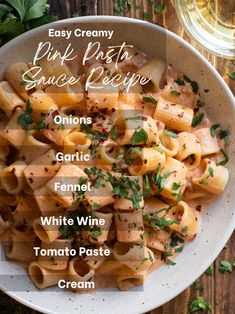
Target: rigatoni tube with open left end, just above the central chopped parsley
[{"x": 145, "y": 160}]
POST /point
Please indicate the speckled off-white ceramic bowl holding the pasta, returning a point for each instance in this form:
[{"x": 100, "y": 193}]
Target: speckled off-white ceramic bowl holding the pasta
[{"x": 218, "y": 220}]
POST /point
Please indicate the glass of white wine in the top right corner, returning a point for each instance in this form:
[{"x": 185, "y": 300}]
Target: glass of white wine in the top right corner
[{"x": 211, "y": 23}]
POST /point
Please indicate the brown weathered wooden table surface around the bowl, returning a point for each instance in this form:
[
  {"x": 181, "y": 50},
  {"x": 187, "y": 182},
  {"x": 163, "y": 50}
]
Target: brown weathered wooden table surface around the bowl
[{"x": 219, "y": 289}]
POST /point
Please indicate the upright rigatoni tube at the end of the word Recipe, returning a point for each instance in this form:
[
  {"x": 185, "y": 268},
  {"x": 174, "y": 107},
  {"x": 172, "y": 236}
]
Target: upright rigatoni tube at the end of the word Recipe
[{"x": 153, "y": 70}]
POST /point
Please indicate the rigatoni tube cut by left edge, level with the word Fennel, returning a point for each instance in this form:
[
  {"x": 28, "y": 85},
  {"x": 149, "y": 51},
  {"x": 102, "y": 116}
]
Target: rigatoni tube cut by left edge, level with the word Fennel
[{"x": 12, "y": 178}]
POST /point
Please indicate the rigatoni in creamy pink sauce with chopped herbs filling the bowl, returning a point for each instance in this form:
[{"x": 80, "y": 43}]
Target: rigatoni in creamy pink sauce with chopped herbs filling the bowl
[{"x": 103, "y": 182}]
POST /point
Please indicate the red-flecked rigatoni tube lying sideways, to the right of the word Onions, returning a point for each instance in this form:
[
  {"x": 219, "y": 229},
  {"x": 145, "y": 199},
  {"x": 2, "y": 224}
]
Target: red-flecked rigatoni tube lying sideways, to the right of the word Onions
[{"x": 175, "y": 116}]
